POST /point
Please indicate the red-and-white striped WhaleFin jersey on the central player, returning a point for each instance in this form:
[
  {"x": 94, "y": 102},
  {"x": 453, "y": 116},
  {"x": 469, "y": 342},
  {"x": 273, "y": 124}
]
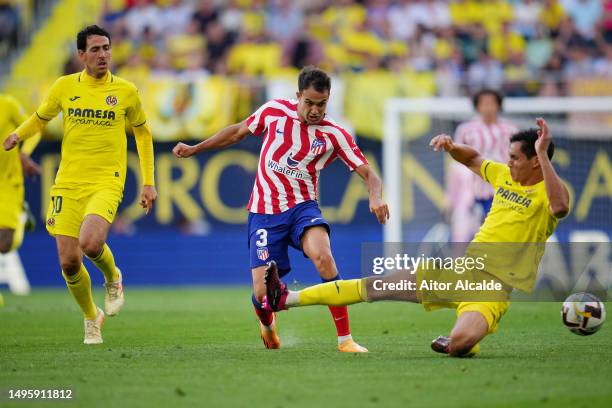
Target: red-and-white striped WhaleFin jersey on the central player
[{"x": 292, "y": 155}]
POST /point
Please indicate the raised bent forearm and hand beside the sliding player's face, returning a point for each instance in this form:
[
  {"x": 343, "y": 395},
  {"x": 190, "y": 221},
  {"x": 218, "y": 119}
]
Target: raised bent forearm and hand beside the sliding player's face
[{"x": 557, "y": 193}]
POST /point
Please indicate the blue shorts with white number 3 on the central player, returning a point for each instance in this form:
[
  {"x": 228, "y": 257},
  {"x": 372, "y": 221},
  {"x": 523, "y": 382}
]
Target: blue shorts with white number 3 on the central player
[{"x": 271, "y": 234}]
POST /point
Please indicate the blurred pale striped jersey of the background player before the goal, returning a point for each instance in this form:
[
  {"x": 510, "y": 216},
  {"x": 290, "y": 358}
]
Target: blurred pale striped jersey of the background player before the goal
[{"x": 491, "y": 141}]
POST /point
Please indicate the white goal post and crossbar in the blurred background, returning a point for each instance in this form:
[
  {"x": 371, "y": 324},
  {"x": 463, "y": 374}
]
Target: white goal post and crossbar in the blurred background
[{"x": 392, "y": 139}]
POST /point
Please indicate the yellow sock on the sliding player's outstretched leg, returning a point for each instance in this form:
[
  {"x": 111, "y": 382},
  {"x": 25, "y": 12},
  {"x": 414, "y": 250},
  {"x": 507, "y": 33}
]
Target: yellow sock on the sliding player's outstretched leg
[{"x": 335, "y": 293}]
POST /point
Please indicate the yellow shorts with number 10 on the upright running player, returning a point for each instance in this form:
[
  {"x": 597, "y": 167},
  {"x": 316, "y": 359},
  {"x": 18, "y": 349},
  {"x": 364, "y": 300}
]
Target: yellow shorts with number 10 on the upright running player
[{"x": 67, "y": 210}]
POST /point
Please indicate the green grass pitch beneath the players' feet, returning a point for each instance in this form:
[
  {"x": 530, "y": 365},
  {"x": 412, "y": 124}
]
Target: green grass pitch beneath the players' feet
[{"x": 200, "y": 347}]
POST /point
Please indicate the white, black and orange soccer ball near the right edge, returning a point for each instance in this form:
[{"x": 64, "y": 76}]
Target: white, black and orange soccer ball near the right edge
[{"x": 583, "y": 313}]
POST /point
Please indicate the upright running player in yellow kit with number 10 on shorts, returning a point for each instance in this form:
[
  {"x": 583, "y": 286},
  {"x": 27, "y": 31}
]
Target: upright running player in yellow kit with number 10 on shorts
[{"x": 96, "y": 106}]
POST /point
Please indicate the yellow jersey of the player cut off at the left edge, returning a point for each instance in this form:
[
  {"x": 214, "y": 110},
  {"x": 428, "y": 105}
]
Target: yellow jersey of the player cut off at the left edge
[{"x": 11, "y": 115}]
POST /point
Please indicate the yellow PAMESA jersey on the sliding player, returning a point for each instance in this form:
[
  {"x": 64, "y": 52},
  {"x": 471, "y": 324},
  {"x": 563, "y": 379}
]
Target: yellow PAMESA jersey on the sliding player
[{"x": 512, "y": 237}]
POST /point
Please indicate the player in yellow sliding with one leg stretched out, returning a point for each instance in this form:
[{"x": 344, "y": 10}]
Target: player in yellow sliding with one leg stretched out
[{"x": 529, "y": 200}]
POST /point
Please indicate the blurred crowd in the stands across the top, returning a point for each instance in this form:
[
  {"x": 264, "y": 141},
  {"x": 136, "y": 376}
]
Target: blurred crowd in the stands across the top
[{"x": 524, "y": 47}]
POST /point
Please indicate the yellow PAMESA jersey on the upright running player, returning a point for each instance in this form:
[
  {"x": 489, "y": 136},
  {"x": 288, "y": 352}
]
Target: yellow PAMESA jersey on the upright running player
[{"x": 95, "y": 112}]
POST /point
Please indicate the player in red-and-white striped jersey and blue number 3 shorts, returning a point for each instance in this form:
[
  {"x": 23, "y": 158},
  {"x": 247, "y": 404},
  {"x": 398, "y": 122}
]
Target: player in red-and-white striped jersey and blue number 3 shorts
[{"x": 299, "y": 140}]
